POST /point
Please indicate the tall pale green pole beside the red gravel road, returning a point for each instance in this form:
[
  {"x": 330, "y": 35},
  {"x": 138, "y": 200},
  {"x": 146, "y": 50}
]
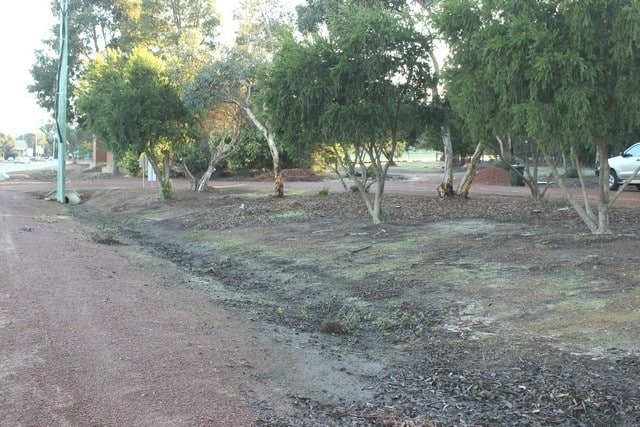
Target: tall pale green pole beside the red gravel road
[{"x": 61, "y": 110}]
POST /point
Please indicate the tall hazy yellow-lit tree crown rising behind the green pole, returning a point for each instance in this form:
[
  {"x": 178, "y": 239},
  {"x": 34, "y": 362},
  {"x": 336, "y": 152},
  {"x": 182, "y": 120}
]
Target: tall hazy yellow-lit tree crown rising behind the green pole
[{"x": 183, "y": 29}]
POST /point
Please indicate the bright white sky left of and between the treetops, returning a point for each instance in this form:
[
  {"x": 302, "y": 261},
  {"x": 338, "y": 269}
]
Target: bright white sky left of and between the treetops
[{"x": 23, "y": 26}]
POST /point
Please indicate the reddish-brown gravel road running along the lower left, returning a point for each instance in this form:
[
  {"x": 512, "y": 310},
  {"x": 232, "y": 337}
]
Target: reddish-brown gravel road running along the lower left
[{"x": 106, "y": 337}]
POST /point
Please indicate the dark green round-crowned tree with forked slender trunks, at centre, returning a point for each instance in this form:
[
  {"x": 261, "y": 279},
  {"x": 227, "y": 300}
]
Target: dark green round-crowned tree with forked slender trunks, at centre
[{"x": 359, "y": 88}]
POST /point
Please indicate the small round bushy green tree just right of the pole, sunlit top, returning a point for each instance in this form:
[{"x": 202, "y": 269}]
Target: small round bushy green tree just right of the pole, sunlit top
[{"x": 130, "y": 102}]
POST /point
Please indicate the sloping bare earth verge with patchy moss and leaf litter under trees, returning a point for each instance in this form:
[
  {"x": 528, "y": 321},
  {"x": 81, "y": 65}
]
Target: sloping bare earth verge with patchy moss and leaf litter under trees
[{"x": 482, "y": 311}]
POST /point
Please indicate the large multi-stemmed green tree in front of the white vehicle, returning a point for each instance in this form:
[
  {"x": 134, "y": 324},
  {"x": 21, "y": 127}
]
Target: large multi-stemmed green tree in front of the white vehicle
[{"x": 560, "y": 74}]
